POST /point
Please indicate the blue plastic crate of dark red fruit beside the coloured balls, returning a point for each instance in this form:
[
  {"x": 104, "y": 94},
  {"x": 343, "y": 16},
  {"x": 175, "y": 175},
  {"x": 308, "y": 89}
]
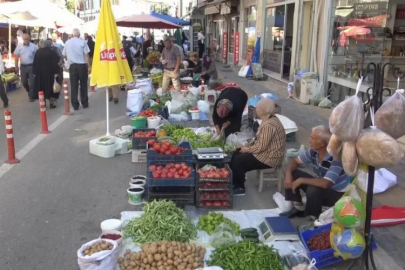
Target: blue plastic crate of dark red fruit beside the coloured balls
[{"x": 323, "y": 257}]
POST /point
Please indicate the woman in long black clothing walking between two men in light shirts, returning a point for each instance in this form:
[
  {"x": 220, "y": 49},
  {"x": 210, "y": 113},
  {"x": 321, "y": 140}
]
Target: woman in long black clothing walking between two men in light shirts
[{"x": 45, "y": 69}]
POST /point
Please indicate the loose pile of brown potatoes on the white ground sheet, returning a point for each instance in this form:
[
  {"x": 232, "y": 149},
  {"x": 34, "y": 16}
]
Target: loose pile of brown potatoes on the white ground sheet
[{"x": 164, "y": 256}]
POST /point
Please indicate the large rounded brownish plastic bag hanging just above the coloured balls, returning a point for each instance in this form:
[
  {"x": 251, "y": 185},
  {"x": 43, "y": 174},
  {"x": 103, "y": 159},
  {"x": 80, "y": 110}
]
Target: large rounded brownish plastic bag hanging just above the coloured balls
[{"x": 377, "y": 148}]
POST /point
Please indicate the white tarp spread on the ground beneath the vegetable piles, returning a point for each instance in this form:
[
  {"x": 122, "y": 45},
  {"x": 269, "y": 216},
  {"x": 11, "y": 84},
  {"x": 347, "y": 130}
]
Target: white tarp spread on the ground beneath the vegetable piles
[{"x": 245, "y": 218}]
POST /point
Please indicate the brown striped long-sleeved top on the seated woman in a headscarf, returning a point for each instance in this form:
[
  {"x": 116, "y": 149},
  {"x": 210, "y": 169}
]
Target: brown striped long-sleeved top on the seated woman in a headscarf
[{"x": 269, "y": 146}]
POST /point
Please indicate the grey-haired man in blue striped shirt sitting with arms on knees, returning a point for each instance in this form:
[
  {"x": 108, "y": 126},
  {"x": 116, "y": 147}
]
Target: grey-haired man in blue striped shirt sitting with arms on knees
[{"x": 323, "y": 189}]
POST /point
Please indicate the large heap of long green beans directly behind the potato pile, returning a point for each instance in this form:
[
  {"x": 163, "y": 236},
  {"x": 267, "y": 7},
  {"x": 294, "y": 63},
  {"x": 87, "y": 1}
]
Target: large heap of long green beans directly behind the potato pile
[{"x": 161, "y": 221}]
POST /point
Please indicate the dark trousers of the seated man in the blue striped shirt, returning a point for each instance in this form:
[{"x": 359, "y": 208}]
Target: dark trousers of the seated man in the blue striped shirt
[{"x": 316, "y": 197}]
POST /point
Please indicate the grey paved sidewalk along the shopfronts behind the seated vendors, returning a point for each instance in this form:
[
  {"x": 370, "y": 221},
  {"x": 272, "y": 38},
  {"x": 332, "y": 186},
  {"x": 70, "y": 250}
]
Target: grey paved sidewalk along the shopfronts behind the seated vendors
[{"x": 391, "y": 239}]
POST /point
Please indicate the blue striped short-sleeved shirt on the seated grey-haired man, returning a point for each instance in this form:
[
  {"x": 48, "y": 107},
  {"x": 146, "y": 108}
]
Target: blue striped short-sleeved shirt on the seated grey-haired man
[{"x": 329, "y": 169}]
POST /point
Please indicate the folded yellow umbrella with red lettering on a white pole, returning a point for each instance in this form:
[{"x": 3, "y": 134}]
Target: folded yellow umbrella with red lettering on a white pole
[{"x": 110, "y": 67}]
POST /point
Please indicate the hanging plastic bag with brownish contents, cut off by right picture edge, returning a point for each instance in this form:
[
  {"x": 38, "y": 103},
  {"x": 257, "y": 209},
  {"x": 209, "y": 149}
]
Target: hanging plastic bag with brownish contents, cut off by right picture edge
[{"x": 390, "y": 118}]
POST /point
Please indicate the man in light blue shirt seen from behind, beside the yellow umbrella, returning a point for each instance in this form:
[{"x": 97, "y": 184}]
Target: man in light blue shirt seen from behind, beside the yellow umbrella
[{"x": 76, "y": 52}]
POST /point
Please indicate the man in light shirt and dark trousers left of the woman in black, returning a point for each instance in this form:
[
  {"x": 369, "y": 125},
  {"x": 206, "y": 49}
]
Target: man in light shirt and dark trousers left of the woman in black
[{"x": 24, "y": 55}]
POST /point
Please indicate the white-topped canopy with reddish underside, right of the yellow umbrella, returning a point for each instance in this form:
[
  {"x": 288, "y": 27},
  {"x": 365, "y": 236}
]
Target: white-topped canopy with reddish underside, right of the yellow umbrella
[{"x": 146, "y": 21}]
